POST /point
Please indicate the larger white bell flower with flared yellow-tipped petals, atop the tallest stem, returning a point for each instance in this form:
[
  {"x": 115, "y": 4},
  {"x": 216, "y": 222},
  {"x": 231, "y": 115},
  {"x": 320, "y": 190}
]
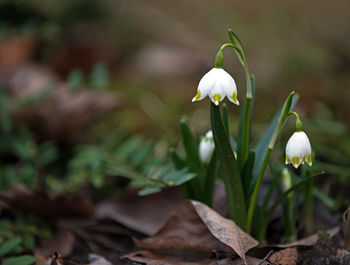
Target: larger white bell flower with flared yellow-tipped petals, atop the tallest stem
[{"x": 217, "y": 83}]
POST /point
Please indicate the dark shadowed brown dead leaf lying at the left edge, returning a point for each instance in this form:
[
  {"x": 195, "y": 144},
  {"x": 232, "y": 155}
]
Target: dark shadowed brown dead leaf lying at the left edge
[{"x": 48, "y": 205}]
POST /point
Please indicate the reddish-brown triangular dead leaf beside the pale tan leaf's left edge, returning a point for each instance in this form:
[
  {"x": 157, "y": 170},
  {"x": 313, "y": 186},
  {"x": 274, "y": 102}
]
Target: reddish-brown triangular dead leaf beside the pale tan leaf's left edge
[{"x": 184, "y": 231}]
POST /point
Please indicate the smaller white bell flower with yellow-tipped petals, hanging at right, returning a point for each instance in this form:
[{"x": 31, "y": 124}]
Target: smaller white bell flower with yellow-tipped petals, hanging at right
[{"x": 298, "y": 149}]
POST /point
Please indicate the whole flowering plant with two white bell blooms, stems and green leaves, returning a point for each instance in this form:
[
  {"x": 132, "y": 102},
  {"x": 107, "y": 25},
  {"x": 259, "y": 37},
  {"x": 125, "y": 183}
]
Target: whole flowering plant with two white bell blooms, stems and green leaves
[{"x": 242, "y": 167}]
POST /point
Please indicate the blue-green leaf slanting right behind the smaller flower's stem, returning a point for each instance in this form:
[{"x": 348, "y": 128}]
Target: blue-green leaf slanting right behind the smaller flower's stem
[{"x": 263, "y": 144}]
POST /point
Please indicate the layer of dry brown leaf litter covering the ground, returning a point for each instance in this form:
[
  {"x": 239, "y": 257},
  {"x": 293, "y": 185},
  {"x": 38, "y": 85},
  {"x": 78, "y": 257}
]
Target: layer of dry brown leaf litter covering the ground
[{"x": 189, "y": 232}]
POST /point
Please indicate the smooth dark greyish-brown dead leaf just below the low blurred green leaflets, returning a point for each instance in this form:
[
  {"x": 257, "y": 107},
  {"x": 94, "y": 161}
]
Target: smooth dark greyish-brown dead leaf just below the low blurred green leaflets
[{"x": 146, "y": 214}]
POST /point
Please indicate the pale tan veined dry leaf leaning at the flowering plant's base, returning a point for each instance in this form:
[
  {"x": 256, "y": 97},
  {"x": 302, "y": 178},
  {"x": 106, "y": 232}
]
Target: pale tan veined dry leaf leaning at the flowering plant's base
[{"x": 225, "y": 229}]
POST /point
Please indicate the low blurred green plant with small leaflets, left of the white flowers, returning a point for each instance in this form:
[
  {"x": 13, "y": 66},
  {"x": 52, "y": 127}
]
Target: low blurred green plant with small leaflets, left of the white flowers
[{"x": 117, "y": 156}]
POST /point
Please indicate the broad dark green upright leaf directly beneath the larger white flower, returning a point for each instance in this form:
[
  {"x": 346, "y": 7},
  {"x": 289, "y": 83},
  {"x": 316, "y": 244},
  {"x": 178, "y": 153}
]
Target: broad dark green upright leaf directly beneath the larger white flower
[{"x": 229, "y": 169}]
